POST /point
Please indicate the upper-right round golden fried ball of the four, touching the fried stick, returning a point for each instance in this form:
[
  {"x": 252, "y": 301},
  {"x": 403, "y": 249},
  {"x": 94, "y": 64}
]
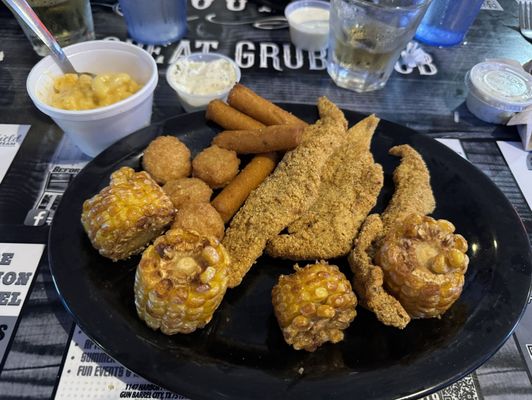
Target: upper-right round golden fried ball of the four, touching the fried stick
[{"x": 215, "y": 166}]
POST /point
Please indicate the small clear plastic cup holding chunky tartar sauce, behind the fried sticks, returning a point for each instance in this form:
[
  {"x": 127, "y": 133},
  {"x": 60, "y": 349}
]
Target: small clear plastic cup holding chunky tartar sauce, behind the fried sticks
[{"x": 194, "y": 102}]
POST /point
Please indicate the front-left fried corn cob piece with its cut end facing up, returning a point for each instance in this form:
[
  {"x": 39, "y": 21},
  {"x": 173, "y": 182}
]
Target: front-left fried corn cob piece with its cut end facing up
[{"x": 180, "y": 281}]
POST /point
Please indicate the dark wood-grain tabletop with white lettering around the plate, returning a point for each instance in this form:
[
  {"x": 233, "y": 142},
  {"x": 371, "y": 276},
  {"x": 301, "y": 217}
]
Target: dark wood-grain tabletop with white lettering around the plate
[{"x": 432, "y": 104}]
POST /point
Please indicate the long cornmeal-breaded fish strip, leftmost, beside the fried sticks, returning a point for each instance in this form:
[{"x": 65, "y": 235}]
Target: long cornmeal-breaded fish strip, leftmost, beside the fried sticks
[{"x": 286, "y": 194}]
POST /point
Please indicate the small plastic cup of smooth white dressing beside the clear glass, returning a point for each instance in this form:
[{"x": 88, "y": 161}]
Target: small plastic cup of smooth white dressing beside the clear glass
[{"x": 308, "y": 31}]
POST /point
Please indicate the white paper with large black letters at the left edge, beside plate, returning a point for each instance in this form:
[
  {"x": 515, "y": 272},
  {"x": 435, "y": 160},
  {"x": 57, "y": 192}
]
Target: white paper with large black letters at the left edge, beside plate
[{"x": 18, "y": 263}]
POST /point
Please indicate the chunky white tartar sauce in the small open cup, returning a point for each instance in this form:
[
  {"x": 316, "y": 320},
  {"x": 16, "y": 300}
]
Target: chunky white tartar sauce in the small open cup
[{"x": 204, "y": 77}]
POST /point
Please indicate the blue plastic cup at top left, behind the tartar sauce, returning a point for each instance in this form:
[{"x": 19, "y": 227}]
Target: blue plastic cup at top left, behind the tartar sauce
[{"x": 155, "y": 21}]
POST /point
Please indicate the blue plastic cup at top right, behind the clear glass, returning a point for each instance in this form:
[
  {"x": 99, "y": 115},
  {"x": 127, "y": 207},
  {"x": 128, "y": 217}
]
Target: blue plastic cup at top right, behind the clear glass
[{"x": 447, "y": 21}]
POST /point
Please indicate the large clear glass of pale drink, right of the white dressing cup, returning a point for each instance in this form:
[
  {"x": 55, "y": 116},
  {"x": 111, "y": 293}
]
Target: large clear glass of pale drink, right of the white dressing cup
[{"x": 366, "y": 38}]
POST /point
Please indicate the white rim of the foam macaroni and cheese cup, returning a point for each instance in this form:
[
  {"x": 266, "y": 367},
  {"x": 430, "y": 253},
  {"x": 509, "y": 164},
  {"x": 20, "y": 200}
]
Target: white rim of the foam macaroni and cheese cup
[{"x": 100, "y": 112}]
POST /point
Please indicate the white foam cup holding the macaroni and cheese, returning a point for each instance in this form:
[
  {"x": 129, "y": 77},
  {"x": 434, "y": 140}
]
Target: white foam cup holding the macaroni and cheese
[{"x": 95, "y": 130}]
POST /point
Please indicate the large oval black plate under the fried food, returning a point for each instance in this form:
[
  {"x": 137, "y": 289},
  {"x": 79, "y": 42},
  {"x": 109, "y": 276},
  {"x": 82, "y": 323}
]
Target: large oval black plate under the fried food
[{"x": 241, "y": 353}]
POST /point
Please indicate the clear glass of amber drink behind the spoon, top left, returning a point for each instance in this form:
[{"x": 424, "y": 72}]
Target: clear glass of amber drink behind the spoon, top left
[{"x": 70, "y": 21}]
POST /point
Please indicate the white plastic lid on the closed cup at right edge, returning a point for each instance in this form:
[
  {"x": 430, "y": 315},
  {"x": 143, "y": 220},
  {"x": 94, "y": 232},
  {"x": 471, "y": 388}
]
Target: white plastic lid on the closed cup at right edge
[{"x": 501, "y": 84}]
